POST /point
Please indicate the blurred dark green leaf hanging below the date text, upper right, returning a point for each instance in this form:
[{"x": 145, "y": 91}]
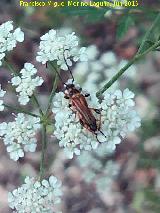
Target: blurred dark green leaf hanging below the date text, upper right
[{"x": 124, "y": 25}]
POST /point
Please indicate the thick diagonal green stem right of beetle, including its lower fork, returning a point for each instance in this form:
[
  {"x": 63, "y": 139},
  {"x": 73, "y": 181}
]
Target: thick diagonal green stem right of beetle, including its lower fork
[{"x": 121, "y": 71}]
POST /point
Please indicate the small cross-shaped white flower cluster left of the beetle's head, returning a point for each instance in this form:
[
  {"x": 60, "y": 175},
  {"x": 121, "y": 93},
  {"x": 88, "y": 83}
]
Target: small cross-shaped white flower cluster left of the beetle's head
[{"x": 26, "y": 84}]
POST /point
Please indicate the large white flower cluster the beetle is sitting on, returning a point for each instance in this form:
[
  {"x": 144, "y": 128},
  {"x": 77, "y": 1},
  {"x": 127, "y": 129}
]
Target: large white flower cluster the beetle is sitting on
[{"x": 118, "y": 118}]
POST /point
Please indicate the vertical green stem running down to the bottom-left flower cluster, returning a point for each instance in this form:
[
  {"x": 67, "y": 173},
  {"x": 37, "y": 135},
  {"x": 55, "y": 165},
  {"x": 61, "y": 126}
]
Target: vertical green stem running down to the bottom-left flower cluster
[{"x": 44, "y": 146}]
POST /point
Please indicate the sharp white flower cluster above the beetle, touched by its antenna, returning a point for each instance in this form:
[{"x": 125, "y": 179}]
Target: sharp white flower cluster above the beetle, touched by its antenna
[{"x": 60, "y": 48}]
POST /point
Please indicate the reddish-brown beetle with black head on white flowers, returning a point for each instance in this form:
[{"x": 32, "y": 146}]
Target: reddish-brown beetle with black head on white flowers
[{"x": 79, "y": 106}]
